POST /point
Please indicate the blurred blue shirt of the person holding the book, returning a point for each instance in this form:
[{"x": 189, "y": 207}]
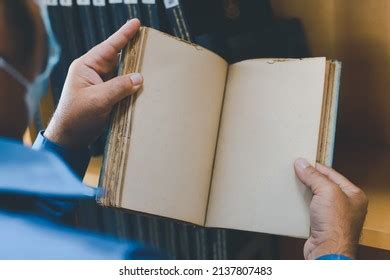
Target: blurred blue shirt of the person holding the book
[{"x": 40, "y": 187}]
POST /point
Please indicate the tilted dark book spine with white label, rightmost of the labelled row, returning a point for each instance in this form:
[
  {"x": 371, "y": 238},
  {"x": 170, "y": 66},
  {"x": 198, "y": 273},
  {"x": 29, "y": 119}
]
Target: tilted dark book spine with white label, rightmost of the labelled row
[{"x": 177, "y": 20}]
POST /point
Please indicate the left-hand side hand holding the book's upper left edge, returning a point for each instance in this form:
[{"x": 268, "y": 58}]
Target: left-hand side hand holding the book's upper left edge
[{"x": 90, "y": 92}]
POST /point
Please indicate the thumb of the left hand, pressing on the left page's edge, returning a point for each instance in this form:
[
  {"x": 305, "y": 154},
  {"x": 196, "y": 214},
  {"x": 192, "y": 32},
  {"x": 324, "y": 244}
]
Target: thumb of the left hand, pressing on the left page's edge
[{"x": 111, "y": 92}]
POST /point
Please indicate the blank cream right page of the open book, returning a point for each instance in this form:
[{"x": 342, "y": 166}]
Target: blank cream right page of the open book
[{"x": 271, "y": 116}]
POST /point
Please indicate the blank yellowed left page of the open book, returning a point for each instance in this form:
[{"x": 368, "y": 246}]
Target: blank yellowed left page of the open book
[{"x": 174, "y": 130}]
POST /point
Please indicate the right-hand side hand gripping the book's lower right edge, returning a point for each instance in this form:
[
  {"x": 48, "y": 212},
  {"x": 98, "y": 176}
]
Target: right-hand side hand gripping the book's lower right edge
[{"x": 337, "y": 211}]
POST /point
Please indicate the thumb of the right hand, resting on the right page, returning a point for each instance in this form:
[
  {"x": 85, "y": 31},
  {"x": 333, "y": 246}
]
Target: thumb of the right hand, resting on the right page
[{"x": 311, "y": 177}]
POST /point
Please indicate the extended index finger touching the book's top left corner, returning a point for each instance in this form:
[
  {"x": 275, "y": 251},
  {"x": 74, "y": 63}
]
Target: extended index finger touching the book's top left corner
[{"x": 103, "y": 57}]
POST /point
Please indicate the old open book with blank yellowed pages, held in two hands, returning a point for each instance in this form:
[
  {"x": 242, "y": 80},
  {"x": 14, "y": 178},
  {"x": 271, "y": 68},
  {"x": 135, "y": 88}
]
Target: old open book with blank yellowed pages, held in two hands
[{"x": 214, "y": 144}]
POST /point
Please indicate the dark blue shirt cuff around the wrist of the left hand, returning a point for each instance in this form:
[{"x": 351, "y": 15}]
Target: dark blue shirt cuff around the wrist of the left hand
[{"x": 76, "y": 159}]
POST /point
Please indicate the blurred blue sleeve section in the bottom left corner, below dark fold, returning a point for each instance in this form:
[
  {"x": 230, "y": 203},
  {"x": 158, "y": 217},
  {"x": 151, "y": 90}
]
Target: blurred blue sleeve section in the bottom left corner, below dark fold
[{"x": 52, "y": 241}]
